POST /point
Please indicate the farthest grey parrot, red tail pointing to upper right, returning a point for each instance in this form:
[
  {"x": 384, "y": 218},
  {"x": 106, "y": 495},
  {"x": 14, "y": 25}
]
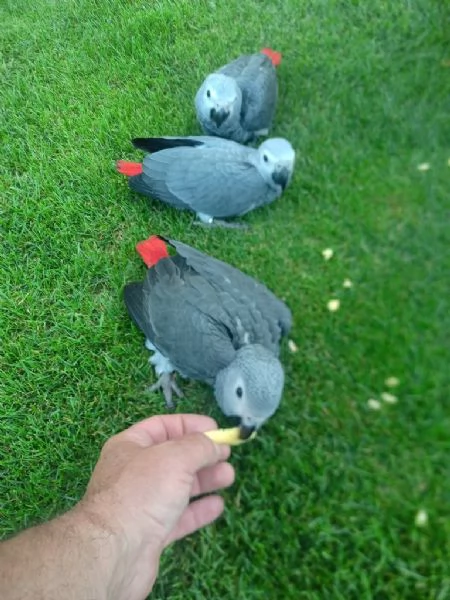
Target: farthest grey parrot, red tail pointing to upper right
[{"x": 238, "y": 100}]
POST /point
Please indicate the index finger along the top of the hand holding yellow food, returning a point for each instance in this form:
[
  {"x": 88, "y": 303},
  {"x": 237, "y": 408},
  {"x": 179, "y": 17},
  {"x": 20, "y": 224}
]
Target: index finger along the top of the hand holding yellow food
[{"x": 162, "y": 428}]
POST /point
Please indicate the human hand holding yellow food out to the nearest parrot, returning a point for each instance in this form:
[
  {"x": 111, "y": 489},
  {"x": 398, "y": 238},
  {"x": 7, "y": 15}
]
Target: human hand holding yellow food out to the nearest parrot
[{"x": 141, "y": 488}]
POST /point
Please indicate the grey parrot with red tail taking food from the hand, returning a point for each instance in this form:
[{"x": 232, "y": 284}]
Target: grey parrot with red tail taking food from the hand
[{"x": 210, "y": 322}]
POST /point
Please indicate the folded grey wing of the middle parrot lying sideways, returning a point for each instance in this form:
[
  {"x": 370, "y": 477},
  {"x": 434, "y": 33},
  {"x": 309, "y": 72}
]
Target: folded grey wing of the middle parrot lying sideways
[{"x": 214, "y": 182}]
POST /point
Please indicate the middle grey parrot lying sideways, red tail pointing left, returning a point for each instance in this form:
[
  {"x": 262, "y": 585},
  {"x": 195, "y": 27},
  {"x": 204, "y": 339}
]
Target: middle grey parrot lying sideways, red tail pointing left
[{"x": 211, "y": 176}]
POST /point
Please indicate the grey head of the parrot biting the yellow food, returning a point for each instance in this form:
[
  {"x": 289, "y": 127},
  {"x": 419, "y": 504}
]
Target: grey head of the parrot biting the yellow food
[{"x": 250, "y": 387}]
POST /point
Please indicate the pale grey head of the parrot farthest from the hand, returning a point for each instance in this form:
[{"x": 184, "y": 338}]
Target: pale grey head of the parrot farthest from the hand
[{"x": 218, "y": 101}]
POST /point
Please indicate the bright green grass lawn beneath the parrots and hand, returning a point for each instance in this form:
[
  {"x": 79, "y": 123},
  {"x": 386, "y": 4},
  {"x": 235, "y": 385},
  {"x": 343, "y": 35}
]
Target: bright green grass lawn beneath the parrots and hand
[{"x": 324, "y": 502}]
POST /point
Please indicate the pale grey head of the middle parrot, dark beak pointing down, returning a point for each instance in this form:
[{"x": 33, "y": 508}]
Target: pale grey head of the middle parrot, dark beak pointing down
[{"x": 276, "y": 160}]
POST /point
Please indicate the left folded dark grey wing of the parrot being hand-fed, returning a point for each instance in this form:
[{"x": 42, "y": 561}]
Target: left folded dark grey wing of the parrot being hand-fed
[{"x": 179, "y": 313}]
